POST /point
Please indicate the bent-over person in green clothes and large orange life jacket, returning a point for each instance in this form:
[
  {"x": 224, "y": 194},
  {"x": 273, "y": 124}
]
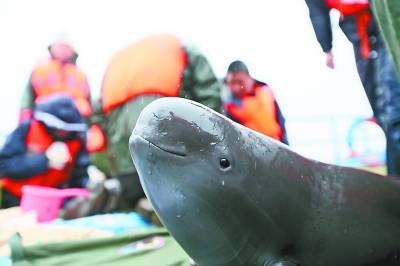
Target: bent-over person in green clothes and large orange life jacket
[{"x": 153, "y": 67}]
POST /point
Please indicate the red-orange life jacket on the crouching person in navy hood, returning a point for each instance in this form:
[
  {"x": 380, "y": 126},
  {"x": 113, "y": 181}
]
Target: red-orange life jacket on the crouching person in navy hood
[{"x": 37, "y": 141}]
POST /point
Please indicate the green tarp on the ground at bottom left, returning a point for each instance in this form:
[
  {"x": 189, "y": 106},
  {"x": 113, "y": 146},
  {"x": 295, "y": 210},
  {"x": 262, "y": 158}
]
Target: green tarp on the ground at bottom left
[{"x": 151, "y": 248}]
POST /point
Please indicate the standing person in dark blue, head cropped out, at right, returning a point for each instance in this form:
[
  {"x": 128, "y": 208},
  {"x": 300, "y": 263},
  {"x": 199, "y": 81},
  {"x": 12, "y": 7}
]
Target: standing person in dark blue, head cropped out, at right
[{"x": 374, "y": 64}]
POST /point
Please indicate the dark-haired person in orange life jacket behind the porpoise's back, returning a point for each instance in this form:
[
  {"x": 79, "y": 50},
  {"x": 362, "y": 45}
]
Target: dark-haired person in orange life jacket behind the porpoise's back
[{"x": 252, "y": 103}]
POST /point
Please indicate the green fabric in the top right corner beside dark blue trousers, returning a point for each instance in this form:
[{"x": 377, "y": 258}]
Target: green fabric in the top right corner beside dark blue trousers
[{"x": 387, "y": 13}]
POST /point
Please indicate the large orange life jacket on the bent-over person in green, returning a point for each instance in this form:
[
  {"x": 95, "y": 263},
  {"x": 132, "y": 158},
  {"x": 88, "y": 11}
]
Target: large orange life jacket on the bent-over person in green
[{"x": 154, "y": 65}]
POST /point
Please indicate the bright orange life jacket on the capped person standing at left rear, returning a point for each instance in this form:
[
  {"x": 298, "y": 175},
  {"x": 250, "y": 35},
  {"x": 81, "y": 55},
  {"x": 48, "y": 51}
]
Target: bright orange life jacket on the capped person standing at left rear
[{"x": 55, "y": 76}]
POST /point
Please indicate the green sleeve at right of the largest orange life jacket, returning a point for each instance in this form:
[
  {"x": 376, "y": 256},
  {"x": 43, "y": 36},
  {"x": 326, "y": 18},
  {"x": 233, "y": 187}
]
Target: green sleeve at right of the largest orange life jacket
[{"x": 199, "y": 81}]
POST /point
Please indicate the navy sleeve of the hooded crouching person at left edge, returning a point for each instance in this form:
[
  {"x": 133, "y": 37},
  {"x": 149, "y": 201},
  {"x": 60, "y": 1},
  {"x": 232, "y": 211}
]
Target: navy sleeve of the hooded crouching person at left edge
[{"x": 15, "y": 162}]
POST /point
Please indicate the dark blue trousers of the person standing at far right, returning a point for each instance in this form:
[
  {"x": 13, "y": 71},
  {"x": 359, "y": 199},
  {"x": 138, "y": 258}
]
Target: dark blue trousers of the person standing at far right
[{"x": 381, "y": 85}]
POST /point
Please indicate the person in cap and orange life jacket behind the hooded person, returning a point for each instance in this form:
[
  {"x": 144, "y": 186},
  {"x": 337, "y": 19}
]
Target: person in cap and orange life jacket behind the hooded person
[{"x": 58, "y": 74}]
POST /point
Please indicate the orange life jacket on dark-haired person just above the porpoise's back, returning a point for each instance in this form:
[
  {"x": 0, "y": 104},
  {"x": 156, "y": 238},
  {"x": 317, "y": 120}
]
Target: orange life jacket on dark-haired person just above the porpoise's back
[{"x": 258, "y": 112}]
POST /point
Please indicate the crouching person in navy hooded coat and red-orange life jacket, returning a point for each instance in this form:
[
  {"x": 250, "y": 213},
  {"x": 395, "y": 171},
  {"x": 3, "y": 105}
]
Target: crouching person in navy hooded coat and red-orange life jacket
[{"x": 47, "y": 149}]
